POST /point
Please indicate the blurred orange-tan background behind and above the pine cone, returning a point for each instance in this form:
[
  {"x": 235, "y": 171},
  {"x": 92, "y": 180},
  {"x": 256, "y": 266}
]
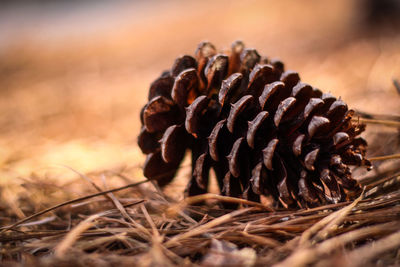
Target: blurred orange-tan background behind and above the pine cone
[{"x": 74, "y": 74}]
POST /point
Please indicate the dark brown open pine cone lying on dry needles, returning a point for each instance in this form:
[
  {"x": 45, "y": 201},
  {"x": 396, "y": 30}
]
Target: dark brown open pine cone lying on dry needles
[{"x": 263, "y": 131}]
